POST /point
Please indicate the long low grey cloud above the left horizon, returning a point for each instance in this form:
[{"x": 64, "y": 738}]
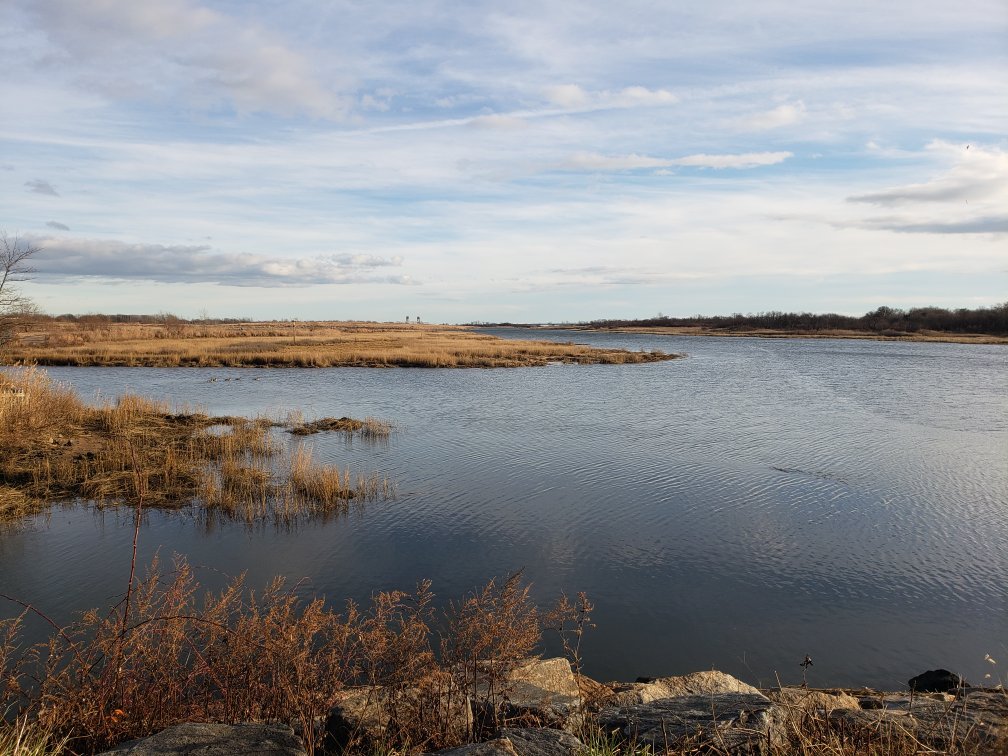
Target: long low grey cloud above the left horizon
[{"x": 90, "y": 259}]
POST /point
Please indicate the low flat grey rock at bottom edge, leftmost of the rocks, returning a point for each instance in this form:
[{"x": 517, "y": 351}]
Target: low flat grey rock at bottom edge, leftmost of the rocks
[{"x": 198, "y": 739}]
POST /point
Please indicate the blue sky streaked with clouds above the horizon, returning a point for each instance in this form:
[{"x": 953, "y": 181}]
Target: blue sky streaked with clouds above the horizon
[{"x": 528, "y": 162}]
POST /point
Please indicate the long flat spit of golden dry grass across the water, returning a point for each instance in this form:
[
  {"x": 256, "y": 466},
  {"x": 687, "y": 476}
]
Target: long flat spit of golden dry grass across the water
[{"x": 296, "y": 345}]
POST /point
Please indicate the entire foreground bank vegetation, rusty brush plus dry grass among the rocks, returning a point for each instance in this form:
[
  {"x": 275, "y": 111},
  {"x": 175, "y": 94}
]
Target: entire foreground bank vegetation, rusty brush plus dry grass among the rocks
[{"x": 168, "y": 654}]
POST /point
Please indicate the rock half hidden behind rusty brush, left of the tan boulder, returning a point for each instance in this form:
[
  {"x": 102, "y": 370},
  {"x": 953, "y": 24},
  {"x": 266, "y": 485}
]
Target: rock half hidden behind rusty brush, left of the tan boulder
[{"x": 364, "y": 717}]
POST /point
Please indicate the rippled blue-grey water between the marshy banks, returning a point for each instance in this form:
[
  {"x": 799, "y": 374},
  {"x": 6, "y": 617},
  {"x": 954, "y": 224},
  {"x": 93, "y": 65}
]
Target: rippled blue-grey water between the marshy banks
[{"x": 738, "y": 510}]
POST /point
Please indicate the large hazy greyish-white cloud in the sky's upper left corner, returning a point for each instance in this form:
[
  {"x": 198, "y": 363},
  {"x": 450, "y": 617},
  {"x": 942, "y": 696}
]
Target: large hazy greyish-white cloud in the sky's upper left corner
[{"x": 172, "y": 49}]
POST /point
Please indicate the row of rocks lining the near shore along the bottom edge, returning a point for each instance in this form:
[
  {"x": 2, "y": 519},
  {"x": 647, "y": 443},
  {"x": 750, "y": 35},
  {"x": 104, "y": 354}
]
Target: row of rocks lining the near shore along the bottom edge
[{"x": 546, "y": 710}]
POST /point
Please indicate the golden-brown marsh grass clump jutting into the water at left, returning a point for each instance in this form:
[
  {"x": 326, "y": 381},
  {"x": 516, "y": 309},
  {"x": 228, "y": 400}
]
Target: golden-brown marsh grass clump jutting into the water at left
[{"x": 54, "y": 448}]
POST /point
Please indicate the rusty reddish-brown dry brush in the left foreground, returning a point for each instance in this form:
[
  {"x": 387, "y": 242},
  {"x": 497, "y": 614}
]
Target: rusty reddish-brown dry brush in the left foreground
[{"x": 170, "y": 654}]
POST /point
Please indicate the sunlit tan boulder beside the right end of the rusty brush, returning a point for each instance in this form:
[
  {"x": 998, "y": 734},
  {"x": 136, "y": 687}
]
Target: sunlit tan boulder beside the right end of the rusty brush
[{"x": 540, "y": 693}]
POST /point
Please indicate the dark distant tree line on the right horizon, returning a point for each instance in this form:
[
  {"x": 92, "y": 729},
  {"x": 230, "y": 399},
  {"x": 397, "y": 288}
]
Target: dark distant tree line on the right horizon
[{"x": 991, "y": 321}]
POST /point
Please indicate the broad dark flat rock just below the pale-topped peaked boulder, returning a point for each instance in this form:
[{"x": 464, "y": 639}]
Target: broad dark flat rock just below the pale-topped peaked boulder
[{"x": 737, "y": 723}]
